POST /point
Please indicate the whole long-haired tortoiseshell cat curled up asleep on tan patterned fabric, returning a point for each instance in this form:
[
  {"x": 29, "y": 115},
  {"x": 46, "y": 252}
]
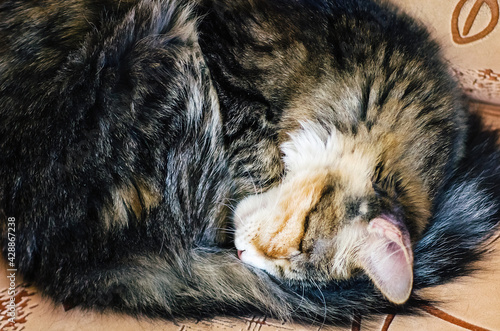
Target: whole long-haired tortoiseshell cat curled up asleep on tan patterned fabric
[{"x": 303, "y": 159}]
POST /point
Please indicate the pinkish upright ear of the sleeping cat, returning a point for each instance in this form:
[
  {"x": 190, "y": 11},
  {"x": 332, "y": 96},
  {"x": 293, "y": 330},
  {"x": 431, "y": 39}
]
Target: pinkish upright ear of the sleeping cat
[{"x": 387, "y": 258}]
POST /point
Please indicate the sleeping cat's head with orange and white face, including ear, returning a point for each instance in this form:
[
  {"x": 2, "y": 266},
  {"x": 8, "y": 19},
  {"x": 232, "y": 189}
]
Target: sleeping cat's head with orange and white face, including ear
[{"x": 327, "y": 220}]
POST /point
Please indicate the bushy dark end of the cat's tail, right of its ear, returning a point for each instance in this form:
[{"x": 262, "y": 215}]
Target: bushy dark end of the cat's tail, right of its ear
[{"x": 467, "y": 214}]
